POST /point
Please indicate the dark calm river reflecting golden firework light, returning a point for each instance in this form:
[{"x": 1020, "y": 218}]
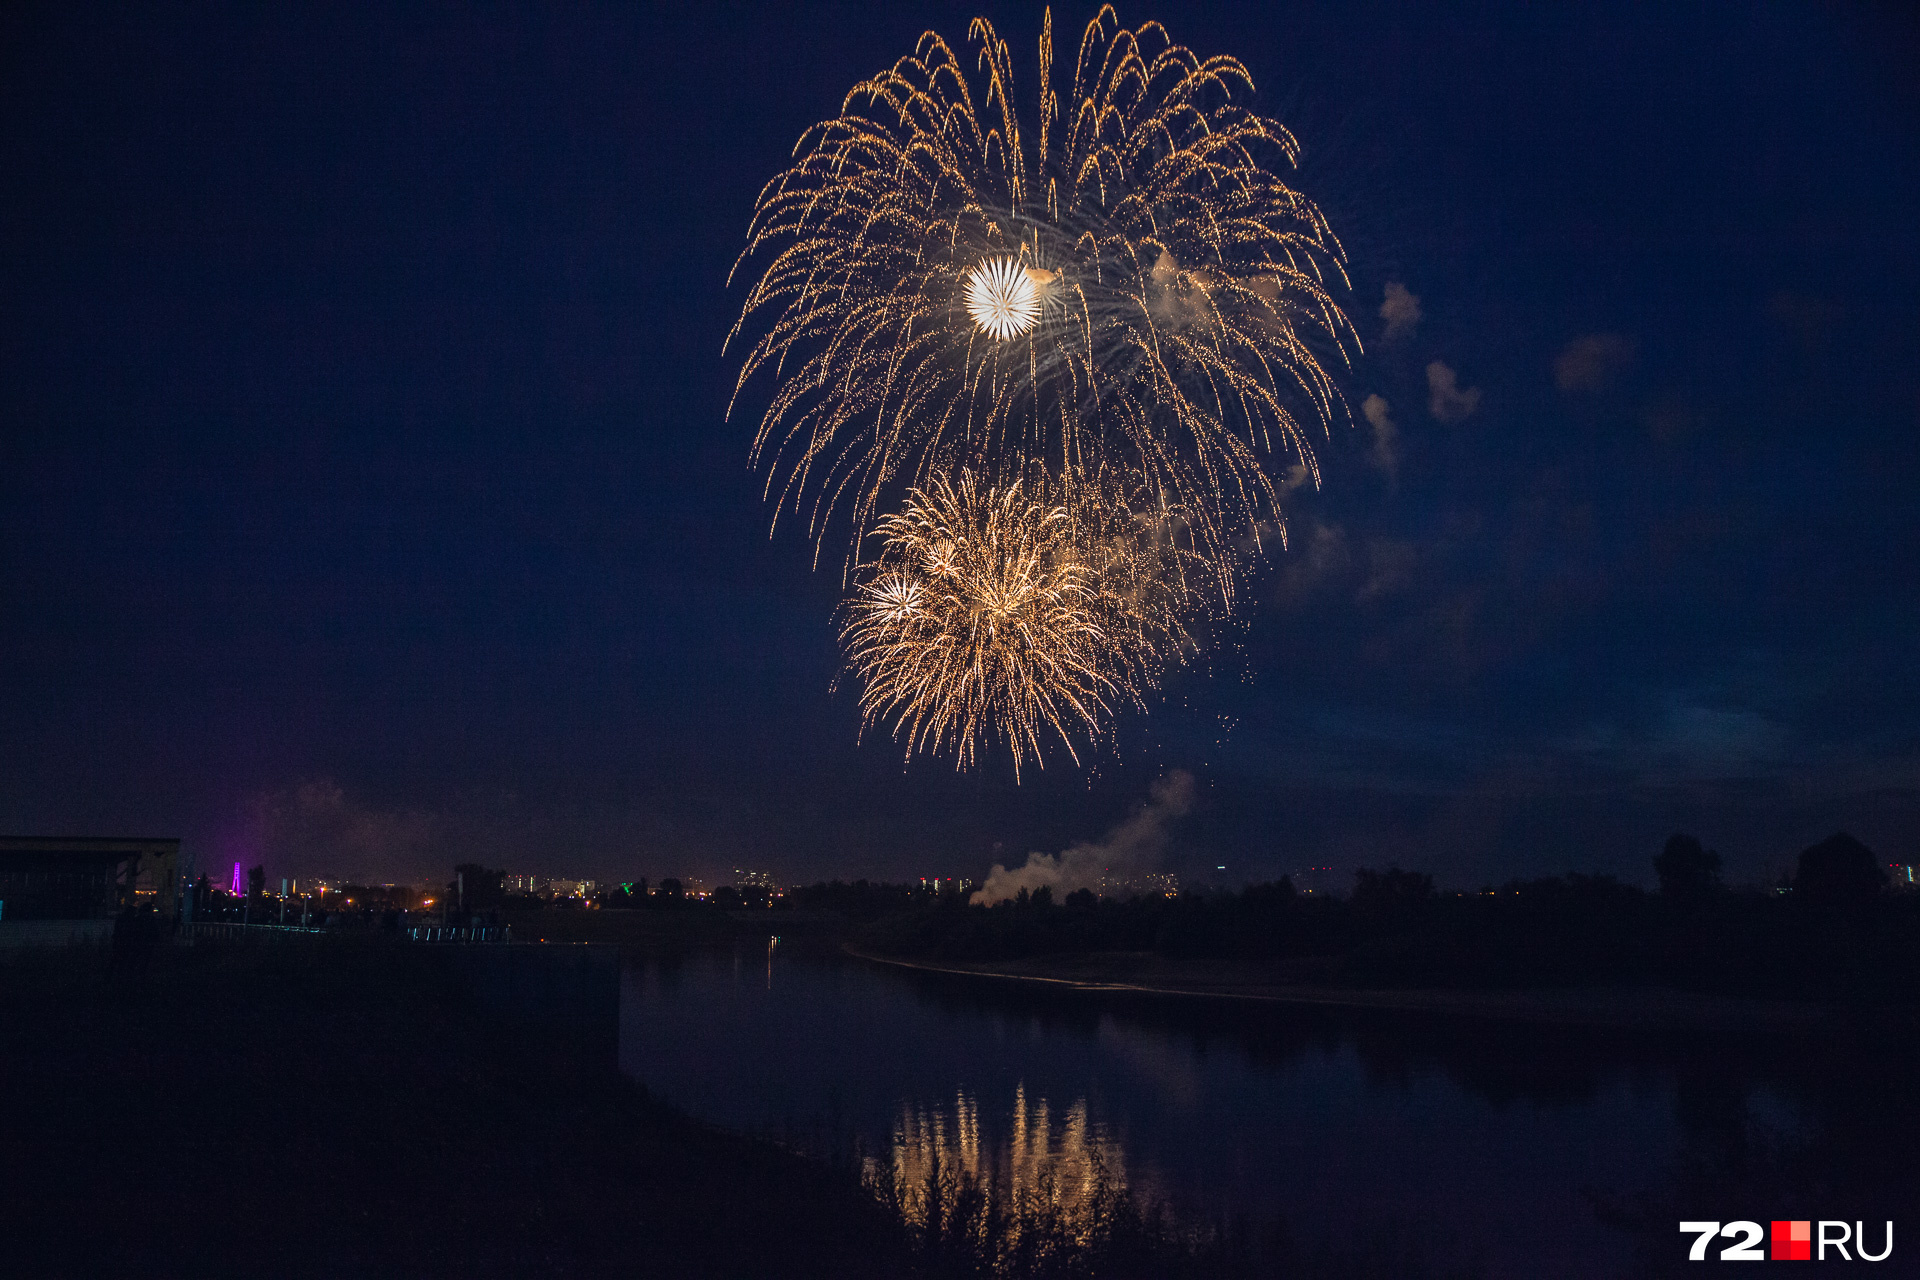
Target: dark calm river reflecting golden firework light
[{"x": 1477, "y": 1145}]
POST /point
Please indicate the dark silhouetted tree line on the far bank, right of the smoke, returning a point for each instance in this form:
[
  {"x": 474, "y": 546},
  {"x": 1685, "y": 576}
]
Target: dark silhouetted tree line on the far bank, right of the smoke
[{"x": 1833, "y": 932}]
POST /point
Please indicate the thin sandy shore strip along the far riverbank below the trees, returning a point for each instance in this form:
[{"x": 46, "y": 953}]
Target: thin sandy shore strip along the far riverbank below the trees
[{"x": 1147, "y": 974}]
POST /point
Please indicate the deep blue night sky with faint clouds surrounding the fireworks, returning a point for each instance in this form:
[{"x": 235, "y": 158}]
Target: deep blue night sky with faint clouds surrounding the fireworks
[{"x": 368, "y": 498}]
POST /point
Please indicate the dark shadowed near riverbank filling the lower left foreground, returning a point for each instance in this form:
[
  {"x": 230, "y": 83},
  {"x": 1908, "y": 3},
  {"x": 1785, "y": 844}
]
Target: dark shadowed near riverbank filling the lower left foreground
[{"x": 350, "y": 1108}]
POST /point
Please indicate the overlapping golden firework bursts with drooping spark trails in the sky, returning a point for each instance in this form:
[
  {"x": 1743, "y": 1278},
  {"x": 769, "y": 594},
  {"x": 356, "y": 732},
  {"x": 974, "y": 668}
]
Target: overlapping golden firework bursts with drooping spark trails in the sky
[{"x": 1120, "y": 312}]
